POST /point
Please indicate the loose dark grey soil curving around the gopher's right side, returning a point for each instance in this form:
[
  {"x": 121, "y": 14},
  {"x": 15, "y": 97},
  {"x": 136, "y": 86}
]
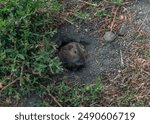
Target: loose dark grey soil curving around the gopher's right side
[{"x": 103, "y": 57}]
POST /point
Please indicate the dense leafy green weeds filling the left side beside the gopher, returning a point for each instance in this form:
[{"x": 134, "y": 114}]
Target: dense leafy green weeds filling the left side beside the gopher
[{"x": 26, "y": 53}]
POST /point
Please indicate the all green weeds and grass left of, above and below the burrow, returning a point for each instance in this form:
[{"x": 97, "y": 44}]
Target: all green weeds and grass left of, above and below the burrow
[{"x": 27, "y": 59}]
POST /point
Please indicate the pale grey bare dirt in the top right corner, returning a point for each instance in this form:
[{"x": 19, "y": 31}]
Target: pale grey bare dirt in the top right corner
[{"x": 140, "y": 17}]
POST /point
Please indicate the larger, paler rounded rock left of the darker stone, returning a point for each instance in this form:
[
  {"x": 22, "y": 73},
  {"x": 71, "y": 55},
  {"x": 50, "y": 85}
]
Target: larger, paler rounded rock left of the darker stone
[{"x": 109, "y": 36}]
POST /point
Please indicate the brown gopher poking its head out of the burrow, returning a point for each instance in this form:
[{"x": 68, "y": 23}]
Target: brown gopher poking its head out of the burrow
[{"x": 73, "y": 55}]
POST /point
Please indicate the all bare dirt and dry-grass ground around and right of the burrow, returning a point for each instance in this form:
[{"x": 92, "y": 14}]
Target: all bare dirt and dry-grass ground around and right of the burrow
[{"x": 123, "y": 65}]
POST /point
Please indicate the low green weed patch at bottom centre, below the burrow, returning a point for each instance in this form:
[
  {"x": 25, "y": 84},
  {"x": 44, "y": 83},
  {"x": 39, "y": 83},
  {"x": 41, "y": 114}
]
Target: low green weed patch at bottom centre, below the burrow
[{"x": 77, "y": 95}]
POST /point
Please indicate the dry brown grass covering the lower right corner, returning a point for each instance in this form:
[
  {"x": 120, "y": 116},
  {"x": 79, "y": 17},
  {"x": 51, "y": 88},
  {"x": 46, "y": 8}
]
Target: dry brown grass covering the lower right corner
[{"x": 131, "y": 86}]
